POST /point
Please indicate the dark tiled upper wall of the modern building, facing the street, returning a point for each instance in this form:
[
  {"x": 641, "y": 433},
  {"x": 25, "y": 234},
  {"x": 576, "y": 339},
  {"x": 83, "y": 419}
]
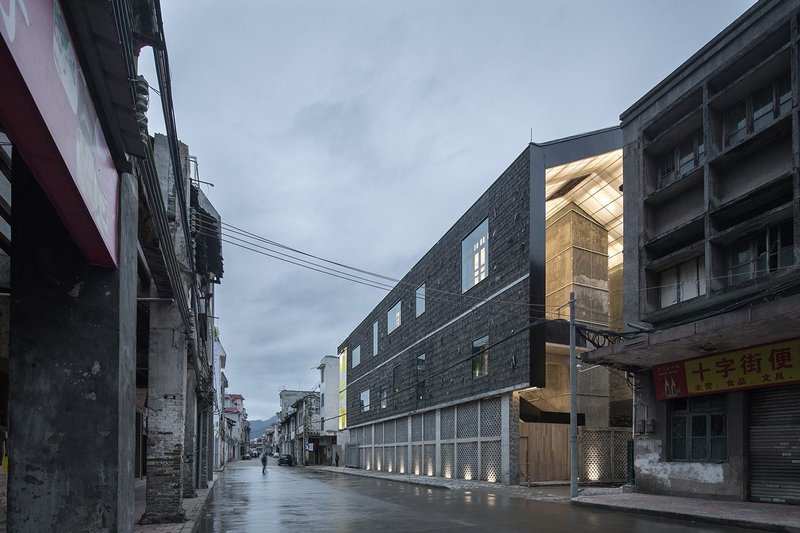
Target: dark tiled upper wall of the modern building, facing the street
[{"x": 448, "y": 352}]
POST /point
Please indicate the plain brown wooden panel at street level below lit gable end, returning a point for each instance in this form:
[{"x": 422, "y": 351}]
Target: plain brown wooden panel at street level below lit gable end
[{"x": 547, "y": 451}]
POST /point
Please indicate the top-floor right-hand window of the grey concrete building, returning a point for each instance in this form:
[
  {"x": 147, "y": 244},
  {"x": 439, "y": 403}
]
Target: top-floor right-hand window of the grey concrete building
[{"x": 758, "y": 110}]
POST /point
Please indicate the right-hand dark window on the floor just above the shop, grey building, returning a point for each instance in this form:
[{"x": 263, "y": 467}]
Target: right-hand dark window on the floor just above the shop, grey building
[{"x": 762, "y": 253}]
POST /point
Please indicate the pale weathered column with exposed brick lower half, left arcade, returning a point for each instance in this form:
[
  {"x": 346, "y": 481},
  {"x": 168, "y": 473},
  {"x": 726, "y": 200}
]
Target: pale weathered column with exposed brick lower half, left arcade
[{"x": 167, "y": 386}]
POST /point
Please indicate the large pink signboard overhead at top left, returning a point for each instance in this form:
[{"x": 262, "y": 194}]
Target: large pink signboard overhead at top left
[{"x": 50, "y": 117}]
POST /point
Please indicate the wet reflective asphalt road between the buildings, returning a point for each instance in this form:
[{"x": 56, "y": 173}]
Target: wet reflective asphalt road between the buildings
[{"x": 298, "y": 499}]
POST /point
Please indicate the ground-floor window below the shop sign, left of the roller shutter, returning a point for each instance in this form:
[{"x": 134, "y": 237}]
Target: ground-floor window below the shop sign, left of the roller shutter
[{"x": 699, "y": 429}]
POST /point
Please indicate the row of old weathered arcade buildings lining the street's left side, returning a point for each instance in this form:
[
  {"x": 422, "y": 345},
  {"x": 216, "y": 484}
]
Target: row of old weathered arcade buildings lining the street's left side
[{"x": 111, "y": 255}]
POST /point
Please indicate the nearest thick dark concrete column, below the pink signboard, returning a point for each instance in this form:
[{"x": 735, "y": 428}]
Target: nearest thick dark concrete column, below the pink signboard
[{"x": 72, "y": 369}]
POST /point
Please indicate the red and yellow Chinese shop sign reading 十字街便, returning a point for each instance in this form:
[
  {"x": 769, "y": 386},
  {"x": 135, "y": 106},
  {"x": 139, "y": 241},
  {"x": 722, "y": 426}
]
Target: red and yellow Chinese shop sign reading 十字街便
[{"x": 757, "y": 366}]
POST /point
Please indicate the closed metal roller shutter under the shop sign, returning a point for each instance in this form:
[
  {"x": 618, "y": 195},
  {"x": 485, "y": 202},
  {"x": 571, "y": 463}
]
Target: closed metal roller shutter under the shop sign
[{"x": 775, "y": 445}]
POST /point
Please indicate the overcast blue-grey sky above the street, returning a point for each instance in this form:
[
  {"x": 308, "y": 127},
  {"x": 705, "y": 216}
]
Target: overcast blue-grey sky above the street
[{"x": 361, "y": 130}]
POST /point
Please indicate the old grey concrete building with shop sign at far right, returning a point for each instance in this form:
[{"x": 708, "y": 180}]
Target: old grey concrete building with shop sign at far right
[{"x": 711, "y": 163}]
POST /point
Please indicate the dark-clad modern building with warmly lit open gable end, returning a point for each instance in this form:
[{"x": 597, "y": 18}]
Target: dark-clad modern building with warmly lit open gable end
[{"x": 460, "y": 371}]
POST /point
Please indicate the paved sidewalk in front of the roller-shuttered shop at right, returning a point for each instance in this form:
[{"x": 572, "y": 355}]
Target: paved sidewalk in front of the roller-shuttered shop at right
[{"x": 751, "y": 515}]
